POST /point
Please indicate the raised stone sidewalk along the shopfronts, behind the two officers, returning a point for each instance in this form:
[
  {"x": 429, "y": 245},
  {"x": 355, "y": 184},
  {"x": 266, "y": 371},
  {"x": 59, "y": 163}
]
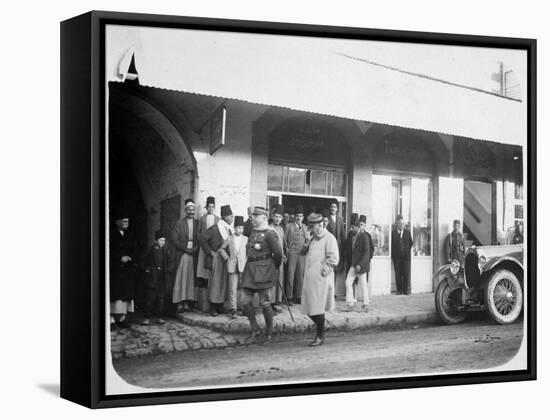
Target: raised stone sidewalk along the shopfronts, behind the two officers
[{"x": 198, "y": 331}]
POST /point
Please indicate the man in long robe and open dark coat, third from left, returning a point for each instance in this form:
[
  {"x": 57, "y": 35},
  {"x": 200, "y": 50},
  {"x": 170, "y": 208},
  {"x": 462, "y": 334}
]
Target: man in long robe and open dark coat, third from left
[{"x": 185, "y": 239}]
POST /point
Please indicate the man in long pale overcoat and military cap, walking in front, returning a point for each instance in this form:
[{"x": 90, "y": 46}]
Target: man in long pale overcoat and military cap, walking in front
[{"x": 321, "y": 259}]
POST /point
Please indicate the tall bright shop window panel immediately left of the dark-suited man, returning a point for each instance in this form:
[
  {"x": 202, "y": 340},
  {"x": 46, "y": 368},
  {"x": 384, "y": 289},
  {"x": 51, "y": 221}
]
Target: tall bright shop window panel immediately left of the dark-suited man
[{"x": 380, "y": 228}]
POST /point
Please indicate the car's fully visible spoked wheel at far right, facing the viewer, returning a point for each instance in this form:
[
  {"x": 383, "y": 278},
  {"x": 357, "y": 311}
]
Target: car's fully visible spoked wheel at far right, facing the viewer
[{"x": 504, "y": 297}]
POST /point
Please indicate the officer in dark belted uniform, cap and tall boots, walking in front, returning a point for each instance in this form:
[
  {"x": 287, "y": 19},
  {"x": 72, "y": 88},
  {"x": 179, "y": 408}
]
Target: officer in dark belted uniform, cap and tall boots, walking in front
[{"x": 264, "y": 255}]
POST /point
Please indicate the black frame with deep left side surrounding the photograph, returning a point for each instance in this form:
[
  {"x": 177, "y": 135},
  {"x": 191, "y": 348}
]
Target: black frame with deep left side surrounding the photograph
[{"x": 83, "y": 208}]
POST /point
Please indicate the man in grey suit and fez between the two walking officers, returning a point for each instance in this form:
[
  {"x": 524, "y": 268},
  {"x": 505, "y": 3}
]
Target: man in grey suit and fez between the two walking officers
[{"x": 297, "y": 239}]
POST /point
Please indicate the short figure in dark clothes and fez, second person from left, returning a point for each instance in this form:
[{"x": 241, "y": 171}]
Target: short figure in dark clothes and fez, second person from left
[{"x": 158, "y": 265}]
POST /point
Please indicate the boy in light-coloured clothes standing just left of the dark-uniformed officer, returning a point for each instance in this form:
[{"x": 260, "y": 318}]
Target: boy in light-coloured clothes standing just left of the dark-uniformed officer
[{"x": 236, "y": 263}]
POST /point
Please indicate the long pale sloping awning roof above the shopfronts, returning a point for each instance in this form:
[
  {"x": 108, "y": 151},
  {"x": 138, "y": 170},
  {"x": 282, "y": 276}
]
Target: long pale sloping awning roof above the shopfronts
[{"x": 283, "y": 72}]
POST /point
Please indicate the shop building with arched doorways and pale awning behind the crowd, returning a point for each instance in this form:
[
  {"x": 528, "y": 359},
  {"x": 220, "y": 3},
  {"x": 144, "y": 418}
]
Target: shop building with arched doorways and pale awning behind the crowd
[{"x": 282, "y": 127}]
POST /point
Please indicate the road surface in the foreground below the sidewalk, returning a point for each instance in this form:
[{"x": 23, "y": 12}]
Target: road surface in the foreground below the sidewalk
[{"x": 475, "y": 345}]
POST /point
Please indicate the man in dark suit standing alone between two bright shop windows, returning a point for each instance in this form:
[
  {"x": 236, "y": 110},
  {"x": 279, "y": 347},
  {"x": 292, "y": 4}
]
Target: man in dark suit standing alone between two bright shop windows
[{"x": 401, "y": 256}]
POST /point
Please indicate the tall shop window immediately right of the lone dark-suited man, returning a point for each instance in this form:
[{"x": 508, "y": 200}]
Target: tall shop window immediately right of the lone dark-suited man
[{"x": 421, "y": 216}]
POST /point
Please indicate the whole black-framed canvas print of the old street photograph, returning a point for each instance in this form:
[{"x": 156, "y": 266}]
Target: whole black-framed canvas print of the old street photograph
[{"x": 258, "y": 209}]
